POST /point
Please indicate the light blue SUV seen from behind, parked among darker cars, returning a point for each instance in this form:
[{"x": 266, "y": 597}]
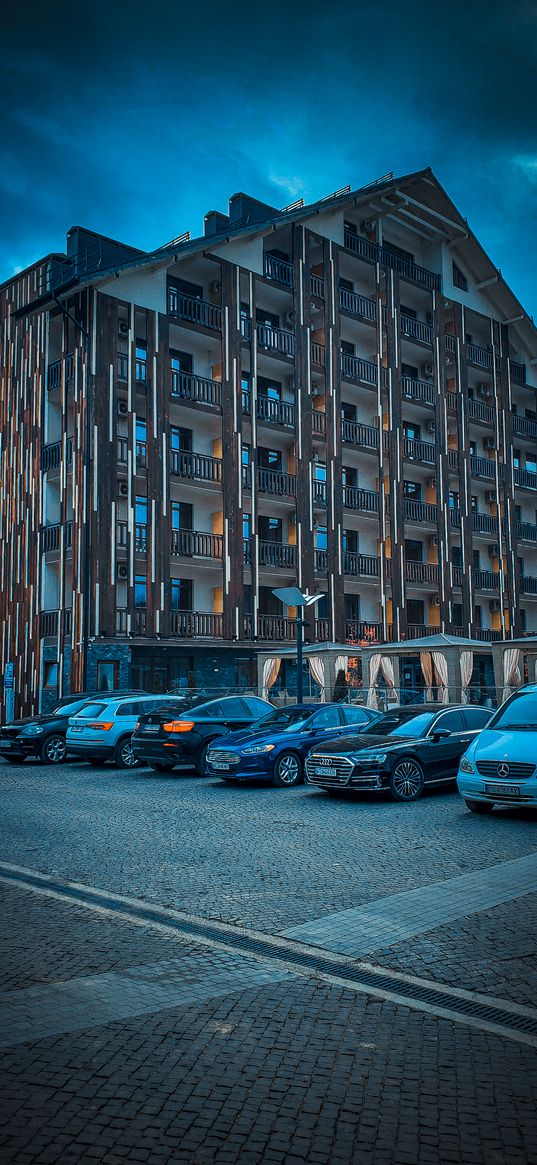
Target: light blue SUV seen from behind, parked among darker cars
[{"x": 102, "y": 731}]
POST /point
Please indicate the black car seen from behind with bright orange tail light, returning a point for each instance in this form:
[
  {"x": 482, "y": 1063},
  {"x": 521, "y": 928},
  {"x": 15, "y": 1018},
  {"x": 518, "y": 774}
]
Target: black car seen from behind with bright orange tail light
[{"x": 166, "y": 743}]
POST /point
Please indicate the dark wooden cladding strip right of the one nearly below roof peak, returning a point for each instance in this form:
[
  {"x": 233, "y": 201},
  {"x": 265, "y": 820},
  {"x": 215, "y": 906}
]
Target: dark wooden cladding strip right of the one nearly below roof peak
[{"x": 464, "y": 474}]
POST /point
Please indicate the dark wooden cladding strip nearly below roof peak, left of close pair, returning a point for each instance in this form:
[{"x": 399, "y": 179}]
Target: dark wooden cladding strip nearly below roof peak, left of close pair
[{"x": 442, "y": 467}]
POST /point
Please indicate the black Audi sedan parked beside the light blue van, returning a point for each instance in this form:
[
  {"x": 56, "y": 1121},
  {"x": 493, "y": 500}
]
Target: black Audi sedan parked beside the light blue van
[{"x": 402, "y": 752}]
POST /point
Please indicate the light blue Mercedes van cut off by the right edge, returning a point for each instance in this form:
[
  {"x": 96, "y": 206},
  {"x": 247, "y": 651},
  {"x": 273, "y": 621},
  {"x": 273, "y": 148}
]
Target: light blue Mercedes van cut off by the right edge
[{"x": 500, "y": 767}]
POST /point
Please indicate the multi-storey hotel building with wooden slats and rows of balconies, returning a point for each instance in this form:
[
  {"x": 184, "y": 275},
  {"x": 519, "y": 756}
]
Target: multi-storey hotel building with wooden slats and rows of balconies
[{"x": 341, "y": 396}]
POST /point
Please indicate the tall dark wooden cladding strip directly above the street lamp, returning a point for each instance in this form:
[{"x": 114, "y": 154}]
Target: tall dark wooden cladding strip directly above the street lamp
[{"x": 305, "y": 447}]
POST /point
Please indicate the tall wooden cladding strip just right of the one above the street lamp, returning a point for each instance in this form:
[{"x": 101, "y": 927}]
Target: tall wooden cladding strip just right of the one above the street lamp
[{"x": 335, "y": 507}]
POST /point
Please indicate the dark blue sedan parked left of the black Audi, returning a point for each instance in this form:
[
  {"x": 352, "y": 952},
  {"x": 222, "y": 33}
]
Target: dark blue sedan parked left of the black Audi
[{"x": 277, "y": 746}]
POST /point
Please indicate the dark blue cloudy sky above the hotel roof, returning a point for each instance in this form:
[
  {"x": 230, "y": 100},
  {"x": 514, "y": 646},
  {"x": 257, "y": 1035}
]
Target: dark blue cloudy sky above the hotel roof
[{"x": 136, "y": 119}]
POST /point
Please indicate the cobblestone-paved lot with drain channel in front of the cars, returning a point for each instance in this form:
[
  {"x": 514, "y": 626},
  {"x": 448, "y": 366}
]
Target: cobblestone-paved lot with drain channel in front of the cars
[{"x": 150, "y": 1020}]
